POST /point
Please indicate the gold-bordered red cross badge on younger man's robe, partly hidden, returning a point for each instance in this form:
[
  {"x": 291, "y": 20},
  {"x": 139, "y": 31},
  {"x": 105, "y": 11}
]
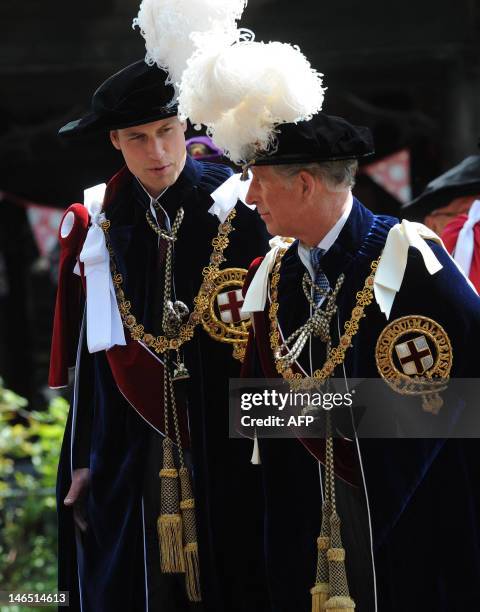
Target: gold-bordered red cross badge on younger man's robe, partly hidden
[{"x": 222, "y": 318}]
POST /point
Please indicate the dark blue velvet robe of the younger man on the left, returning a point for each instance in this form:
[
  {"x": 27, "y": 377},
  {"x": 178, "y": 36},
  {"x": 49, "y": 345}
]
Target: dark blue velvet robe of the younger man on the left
[{"x": 123, "y": 451}]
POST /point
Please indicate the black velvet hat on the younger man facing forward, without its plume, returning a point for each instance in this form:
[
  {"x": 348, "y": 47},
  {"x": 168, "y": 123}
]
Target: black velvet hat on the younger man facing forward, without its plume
[{"x": 135, "y": 95}]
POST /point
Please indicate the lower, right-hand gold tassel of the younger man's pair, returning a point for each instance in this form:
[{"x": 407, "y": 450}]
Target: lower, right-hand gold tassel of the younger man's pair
[{"x": 192, "y": 565}]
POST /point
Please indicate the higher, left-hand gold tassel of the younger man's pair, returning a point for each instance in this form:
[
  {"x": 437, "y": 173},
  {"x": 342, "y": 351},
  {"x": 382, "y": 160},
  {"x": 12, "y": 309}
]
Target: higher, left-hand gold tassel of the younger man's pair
[{"x": 169, "y": 523}]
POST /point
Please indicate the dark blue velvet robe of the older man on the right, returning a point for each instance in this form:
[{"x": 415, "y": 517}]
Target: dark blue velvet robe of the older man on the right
[{"x": 423, "y": 494}]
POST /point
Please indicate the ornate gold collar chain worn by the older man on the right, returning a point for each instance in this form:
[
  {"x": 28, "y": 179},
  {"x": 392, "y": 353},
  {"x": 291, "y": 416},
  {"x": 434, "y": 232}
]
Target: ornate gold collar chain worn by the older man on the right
[{"x": 336, "y": 355}]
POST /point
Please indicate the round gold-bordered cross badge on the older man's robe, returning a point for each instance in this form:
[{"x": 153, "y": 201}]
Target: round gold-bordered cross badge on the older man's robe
[{"x": 414, "y": 357}]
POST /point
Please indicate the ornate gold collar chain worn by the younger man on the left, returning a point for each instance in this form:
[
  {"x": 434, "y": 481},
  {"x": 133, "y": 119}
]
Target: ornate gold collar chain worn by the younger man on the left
[{"x": 161, "y": 344}]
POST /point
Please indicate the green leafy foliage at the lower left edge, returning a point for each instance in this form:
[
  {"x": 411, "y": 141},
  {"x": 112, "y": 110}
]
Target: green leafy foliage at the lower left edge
[{"x": 29, "y": 449}]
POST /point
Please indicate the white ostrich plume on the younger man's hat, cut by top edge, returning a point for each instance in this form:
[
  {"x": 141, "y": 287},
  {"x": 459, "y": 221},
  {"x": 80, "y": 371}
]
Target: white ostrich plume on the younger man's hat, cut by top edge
[{"x": 167, "y": 27}]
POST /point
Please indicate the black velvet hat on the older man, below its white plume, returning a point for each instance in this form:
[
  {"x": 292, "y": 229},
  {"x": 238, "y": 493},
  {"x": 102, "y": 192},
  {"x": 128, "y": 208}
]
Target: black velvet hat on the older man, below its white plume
[{"x": 323, "y": 138}]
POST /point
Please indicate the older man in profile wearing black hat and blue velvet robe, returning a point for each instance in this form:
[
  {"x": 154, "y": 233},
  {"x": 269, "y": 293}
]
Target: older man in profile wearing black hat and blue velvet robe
[{"x": 409, "y": 508}]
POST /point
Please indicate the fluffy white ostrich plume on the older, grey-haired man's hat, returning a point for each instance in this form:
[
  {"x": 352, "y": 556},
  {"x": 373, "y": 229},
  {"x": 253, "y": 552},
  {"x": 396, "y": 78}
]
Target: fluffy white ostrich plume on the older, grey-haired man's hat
[{"x": 243, "y": 91}]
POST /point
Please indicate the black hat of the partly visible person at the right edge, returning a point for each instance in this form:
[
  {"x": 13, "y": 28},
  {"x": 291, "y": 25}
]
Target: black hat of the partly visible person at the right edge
[{"x": 461, "y": 180}]
